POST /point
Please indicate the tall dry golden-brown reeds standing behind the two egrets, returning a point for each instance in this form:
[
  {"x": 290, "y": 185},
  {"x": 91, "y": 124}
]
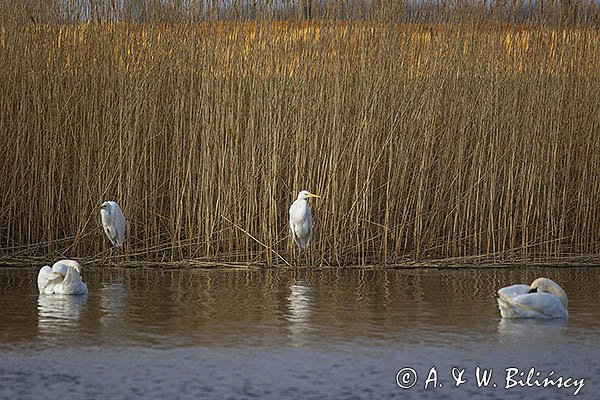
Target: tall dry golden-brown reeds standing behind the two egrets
[{"x": 457, "y": 142}]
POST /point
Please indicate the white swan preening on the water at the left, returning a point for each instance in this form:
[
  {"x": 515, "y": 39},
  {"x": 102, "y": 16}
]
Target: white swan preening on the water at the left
[{"x": 63, "y": 278}]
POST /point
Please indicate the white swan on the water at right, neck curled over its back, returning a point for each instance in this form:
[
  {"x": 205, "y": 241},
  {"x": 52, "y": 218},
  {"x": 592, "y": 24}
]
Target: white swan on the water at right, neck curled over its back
[{"x": 544, "y": 298}]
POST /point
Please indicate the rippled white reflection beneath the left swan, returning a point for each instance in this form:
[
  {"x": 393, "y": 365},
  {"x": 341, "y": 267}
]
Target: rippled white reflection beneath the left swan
[{"x": 59, "y": 314}]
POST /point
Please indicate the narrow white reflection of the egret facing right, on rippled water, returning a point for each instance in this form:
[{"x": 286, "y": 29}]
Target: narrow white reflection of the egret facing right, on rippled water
[{"x": 299, "y": 307}]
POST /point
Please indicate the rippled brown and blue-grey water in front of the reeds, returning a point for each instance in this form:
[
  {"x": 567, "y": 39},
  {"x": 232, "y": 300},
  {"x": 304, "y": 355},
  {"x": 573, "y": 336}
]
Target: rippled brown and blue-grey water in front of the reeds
[{"x": 333, "y": 333}]
